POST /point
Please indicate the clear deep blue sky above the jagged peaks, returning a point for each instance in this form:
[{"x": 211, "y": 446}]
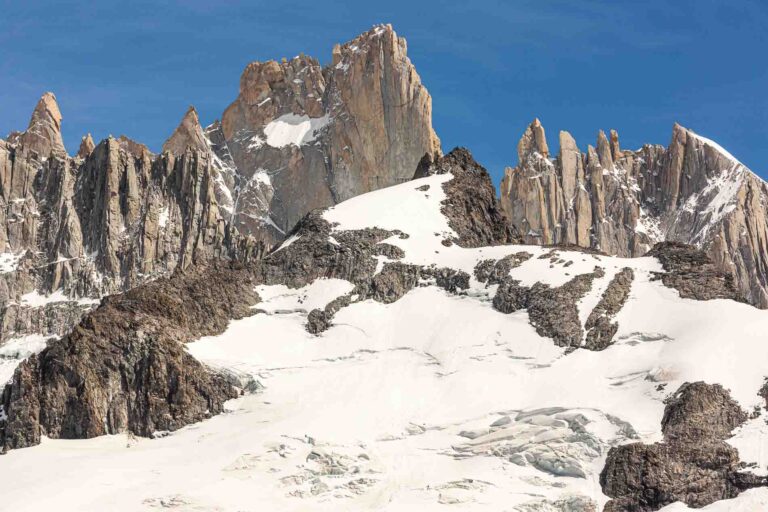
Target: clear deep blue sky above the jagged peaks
[{"x": 491, "y": 66}]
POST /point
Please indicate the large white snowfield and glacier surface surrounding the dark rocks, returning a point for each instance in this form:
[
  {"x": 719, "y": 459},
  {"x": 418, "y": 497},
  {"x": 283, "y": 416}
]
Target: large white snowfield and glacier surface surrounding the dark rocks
[{"x": 368, "y": 415}]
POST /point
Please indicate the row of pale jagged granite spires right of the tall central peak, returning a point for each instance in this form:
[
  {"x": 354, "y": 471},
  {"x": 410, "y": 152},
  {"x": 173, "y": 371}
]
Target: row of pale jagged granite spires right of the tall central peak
[{"x": 622, "y": 202}]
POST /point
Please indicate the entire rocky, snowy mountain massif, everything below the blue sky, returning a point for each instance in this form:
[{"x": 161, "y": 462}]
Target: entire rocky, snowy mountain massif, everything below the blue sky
[{"x": 306, "y": 305}]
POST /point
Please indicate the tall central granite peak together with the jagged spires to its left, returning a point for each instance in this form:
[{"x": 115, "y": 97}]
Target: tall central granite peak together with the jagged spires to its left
[{"x": 298, "y": 137}]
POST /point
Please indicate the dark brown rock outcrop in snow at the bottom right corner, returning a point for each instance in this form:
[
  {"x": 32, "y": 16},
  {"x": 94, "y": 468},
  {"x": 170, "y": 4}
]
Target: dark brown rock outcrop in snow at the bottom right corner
[{"x": 693, "y": 464}]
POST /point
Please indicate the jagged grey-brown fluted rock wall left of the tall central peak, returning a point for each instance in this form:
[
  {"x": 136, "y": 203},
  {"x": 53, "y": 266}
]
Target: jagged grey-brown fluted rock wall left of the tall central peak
[{"x": 109, "y": 219}]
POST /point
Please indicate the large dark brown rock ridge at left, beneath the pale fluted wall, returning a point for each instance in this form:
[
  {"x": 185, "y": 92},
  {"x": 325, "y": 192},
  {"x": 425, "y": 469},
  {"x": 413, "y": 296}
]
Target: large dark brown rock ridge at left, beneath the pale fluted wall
[{"x": 124, "y": 367}]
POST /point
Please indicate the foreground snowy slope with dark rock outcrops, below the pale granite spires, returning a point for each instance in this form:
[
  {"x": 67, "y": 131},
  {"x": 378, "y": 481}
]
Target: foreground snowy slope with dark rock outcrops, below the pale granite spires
[{"x": 390, "y": 358}]
